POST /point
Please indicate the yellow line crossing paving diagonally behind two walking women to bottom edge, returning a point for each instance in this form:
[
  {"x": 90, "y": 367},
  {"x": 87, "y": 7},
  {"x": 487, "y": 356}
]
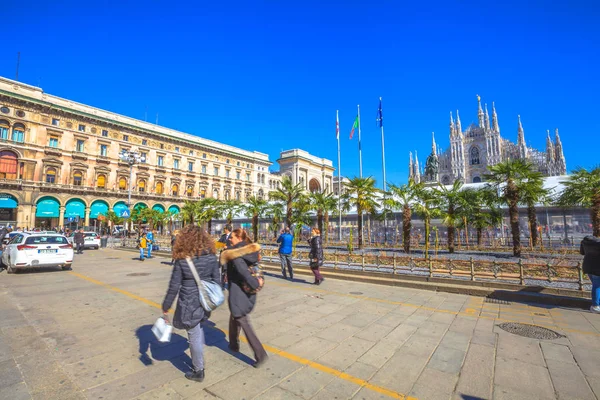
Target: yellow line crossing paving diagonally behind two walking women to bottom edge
[{"x": 320, "y": 367}]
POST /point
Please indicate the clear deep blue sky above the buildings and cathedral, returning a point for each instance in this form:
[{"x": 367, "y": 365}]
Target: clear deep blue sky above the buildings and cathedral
[{"x": 269, "y": 75}]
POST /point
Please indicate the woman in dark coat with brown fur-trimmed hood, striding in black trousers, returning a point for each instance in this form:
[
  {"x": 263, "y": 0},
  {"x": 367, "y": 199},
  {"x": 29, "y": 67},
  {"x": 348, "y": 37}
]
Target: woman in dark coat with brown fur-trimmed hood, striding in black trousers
[{"x": 238, "y": 258}]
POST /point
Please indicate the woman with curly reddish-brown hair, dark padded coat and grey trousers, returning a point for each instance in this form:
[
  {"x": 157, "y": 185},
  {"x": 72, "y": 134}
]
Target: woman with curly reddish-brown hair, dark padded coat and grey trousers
[{"x": 197, "y": 245}]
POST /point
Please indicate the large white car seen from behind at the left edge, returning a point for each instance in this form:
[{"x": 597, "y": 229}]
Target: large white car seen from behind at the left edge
[{"x": 26, "y": 250}]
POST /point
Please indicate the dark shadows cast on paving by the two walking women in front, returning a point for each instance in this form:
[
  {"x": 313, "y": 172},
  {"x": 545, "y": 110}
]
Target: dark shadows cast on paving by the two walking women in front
[{"x": 152, "y": 350}]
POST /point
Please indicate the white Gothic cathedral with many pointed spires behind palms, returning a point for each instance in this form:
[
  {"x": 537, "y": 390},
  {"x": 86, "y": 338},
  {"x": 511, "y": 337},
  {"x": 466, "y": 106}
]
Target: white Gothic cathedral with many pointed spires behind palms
[{"x": 472, "y": 150}]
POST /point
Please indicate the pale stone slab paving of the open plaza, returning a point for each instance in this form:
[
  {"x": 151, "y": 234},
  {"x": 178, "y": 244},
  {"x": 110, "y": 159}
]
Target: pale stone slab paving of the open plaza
[{"x": 86, "y": 334}]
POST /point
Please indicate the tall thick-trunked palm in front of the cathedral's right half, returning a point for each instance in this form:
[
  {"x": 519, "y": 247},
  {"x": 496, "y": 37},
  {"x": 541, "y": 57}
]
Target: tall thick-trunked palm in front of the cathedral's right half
[{"x": 506, "y": 178}]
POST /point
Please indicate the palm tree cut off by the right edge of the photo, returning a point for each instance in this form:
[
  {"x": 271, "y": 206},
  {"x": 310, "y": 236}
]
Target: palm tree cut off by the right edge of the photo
[{"x": 583, "y": 188}]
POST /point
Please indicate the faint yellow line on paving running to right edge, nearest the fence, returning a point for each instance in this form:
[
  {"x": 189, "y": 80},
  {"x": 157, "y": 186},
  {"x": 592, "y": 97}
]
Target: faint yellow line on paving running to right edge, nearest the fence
[{"x": 466, "y": 313}]
